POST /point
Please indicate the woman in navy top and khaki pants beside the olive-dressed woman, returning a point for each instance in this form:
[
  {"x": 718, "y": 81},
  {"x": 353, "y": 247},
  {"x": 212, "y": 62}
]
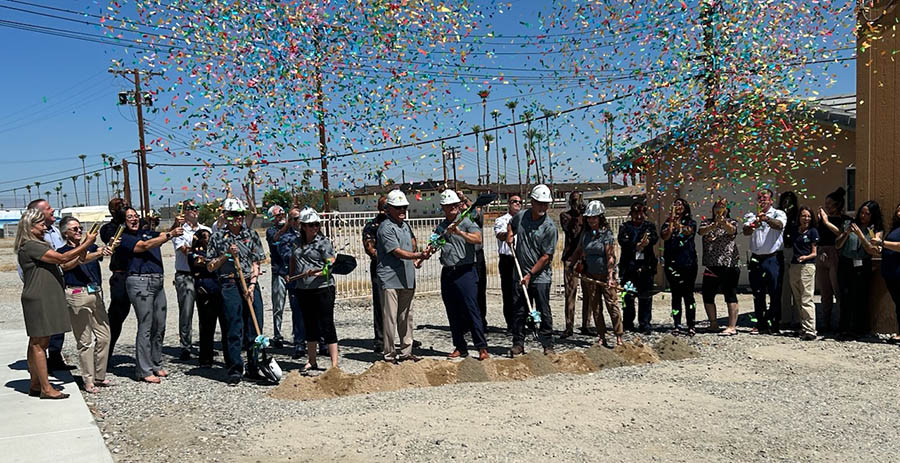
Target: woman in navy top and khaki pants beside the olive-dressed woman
[{"x": 90, "y": 322}]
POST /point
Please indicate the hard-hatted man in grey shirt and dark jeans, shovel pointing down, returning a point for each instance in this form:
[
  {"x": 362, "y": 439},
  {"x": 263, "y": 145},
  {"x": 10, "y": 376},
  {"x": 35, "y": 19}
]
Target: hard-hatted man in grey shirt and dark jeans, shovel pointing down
[{"x": 533, "y": 236}]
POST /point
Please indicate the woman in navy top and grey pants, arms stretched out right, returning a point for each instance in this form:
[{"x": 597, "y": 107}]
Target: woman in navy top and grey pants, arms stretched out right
[{"x": 144, "y": 285}]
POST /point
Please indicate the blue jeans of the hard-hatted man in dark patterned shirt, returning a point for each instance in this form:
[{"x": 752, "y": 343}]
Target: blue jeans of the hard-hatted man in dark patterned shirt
[{"x": 241, "y": 332}]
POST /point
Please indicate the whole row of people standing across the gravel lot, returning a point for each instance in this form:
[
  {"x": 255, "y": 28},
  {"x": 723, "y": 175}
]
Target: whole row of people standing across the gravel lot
[{"x": 793, "y": 250}]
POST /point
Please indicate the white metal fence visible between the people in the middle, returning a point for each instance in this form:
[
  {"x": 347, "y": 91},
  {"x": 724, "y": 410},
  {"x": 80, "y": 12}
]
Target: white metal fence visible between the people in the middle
[{"x": 345, "y": 231}]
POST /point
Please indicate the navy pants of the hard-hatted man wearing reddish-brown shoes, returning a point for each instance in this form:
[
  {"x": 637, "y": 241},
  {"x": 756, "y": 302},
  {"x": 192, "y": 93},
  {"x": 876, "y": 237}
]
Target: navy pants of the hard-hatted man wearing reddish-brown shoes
[{"x": 459, "y": 290}]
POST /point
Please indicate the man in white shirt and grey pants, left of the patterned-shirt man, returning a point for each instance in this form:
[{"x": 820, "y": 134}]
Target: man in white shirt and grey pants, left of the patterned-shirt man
[{"x": 184, "y": 279}]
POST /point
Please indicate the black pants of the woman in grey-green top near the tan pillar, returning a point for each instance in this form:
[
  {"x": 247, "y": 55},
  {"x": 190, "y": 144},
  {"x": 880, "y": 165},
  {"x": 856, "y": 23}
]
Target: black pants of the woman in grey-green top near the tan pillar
[{"x": 854, "y": 295}]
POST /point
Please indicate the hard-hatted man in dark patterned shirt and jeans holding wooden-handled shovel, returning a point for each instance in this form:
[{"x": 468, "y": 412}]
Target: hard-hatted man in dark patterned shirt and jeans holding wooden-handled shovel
[{"x": 235, "y": 238}]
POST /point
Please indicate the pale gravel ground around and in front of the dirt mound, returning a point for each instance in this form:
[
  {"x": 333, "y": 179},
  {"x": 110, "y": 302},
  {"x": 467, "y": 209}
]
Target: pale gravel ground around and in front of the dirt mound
[{"x": 747, "y": 398}]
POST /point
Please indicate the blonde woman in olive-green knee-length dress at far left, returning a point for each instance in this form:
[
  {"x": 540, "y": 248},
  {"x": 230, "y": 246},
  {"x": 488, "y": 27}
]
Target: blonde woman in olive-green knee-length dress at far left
[{"x": 43, "y": 297}]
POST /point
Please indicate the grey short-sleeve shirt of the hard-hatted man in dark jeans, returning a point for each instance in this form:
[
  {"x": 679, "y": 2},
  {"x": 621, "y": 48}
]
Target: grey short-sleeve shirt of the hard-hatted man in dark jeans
[{"x": 534, "y": 238}]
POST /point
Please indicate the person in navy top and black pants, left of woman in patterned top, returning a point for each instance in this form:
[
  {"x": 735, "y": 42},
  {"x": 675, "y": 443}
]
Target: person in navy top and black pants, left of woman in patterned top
[{"x": 680, "y": 261}]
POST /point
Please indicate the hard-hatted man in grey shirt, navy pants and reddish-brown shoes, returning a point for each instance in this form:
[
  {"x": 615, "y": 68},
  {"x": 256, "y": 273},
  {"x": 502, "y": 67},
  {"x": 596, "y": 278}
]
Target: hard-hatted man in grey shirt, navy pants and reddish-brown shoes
[{"x": 459, "y": 278}]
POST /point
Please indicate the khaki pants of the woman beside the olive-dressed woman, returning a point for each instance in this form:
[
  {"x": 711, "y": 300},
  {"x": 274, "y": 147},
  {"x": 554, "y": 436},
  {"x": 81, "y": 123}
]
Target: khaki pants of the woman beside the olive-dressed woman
[{"x": 90, "y": 326}]
